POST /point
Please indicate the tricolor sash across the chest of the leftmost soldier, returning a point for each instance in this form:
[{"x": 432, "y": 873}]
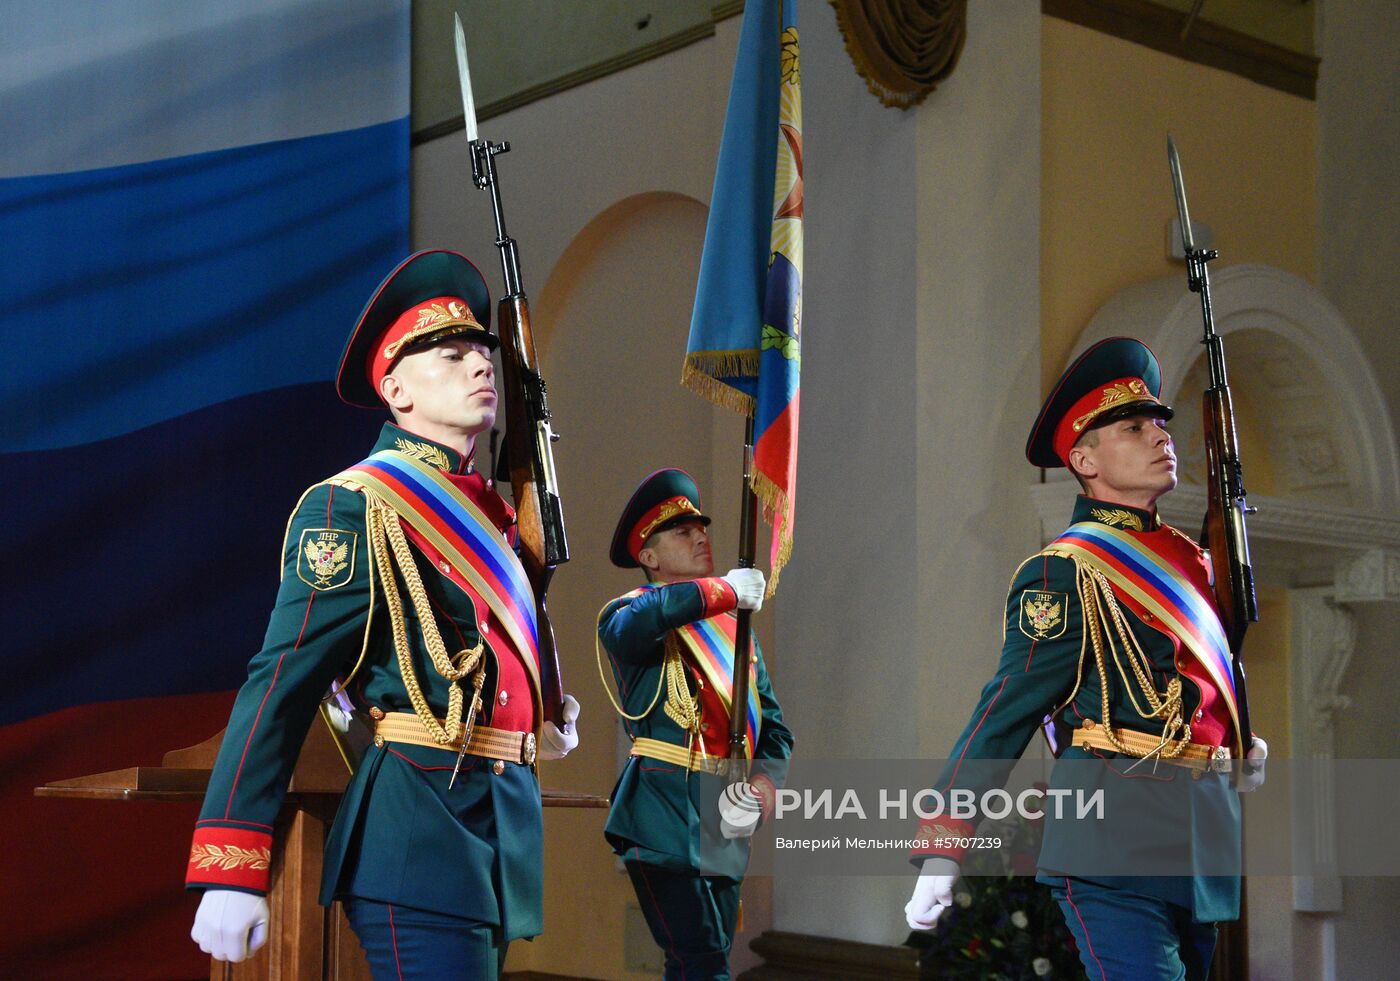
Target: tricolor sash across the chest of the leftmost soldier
[{"x": 465, "y": 537}]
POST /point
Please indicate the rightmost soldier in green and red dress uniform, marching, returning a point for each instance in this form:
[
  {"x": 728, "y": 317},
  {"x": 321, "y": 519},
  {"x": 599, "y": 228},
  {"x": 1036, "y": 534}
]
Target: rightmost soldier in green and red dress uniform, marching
[{"x": 1114, "y": 636}]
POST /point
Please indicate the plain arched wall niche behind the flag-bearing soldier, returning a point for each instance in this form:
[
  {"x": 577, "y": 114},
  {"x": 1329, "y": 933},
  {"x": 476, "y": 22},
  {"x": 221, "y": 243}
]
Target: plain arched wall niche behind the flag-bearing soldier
[{"x": 611, "y": 324}]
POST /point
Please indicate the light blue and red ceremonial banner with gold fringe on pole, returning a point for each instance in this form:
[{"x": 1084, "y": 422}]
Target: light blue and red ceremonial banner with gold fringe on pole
[{"x": 745, "y": 332}]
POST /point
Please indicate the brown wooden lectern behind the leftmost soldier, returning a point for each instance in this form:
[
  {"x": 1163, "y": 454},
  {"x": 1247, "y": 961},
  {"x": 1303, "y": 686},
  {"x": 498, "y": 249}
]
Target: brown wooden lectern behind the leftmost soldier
[{"x": 307, "y": 941}]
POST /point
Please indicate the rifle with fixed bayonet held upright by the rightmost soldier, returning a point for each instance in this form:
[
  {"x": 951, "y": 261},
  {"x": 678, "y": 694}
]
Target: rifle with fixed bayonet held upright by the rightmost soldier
[{"x": 1224, "y": 531}]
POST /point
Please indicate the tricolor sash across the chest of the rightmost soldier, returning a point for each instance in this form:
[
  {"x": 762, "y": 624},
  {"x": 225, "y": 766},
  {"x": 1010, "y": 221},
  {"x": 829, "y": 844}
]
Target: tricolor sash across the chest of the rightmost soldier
[{"x": 1137, "y": 572}]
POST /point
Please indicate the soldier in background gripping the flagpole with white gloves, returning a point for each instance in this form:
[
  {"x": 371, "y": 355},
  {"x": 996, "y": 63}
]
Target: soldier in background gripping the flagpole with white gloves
[{"x": 670, "y": 646}]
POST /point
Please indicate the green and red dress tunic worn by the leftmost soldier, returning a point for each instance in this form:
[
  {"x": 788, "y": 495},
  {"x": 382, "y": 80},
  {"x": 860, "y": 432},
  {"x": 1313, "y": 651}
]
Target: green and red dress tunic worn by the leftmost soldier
[{"x": 401, "y": 836}]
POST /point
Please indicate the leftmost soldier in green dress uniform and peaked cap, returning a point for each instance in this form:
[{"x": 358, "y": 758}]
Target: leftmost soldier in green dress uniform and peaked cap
[{"x": 401, "y": 594}]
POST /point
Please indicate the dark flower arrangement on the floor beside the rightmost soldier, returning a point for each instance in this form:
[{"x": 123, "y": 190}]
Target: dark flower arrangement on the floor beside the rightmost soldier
[{"x": 1003, "y": 926}]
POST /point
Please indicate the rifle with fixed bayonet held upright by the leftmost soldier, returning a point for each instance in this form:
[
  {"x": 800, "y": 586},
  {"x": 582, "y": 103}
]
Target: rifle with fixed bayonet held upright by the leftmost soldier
[{"x": 528, "y": 433}]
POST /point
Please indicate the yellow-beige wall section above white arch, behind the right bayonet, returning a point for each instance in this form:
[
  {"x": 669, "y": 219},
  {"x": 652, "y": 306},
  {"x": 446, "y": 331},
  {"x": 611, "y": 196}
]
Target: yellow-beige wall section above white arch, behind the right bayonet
[{"x": 1248, "y": 153}]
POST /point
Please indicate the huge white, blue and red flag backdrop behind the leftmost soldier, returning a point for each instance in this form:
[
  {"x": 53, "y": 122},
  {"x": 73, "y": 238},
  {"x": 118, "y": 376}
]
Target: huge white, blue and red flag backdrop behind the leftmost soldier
[{"x": 197, "y": 199}]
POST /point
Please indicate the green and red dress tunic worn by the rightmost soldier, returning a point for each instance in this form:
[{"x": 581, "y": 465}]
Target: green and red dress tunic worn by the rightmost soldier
[{"x": 1181, "y": 821}]
